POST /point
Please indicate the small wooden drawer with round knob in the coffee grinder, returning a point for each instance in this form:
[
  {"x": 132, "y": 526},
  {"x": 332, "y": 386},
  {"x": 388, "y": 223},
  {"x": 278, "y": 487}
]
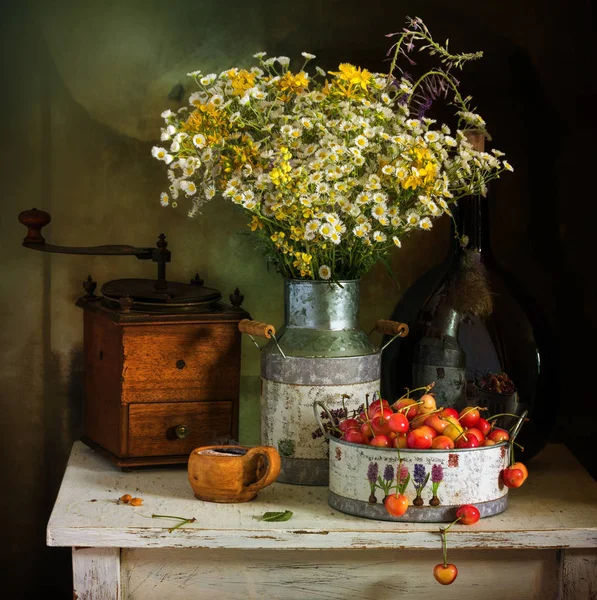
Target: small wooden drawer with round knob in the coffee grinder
[{"x": 170, "y": 428}]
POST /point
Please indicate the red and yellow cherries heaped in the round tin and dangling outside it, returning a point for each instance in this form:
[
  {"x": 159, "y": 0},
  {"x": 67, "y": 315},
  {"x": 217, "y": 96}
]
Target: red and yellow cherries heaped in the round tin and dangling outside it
[{"x": 421, "y": 425}]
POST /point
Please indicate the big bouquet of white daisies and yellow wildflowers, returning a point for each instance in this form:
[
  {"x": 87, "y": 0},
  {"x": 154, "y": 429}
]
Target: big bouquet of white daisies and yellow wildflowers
[{"x": 332, "y": 169}]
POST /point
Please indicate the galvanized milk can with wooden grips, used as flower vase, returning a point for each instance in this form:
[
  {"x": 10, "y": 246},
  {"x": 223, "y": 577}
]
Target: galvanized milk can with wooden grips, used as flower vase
[{"x": 320, "y": 353}]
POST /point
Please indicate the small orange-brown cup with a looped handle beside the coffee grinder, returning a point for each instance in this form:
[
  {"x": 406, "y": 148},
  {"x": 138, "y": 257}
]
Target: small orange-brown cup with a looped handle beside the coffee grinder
[{"x": 232, "y": 473}]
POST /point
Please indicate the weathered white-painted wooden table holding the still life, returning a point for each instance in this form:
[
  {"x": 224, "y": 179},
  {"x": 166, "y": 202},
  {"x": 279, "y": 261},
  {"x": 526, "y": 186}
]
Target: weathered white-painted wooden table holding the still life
[{"x": 544, "y": 546}]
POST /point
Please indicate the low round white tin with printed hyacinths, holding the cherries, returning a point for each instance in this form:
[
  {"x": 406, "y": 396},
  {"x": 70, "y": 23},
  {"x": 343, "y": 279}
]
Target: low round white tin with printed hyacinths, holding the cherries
[{"x": 440, "y": 481}]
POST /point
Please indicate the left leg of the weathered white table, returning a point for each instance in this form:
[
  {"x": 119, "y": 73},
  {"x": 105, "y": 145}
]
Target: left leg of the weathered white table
[{"x": 96, "y": 574}]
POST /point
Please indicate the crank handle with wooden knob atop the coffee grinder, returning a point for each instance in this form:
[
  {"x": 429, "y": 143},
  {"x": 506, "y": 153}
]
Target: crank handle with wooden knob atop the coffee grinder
[{"x": 35, "y": 220}]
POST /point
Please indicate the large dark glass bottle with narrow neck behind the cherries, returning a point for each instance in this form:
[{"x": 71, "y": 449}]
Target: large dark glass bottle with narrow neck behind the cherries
[{"x": 468, "y": 318}]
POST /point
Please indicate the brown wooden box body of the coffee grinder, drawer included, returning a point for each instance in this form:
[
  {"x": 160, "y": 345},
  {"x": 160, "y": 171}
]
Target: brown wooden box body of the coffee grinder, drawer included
[{"x": 156, "y": 386}]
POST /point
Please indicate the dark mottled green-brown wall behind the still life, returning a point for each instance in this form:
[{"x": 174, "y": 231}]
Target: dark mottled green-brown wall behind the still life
[{"x": 83, "y": 85}]
